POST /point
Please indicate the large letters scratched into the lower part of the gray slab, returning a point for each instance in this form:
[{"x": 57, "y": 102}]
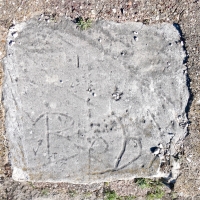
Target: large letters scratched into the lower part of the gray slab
[{"x": 59, "y": 127}]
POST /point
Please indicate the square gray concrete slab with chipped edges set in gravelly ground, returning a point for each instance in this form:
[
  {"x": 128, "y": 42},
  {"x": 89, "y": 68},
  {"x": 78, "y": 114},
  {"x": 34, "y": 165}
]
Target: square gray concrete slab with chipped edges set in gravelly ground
[{"x": 97, "y": 105}]
